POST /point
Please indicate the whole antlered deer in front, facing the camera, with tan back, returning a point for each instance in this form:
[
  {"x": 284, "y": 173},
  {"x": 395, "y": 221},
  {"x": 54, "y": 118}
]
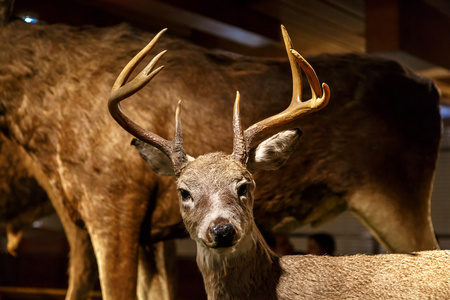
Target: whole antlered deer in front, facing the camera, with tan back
[{"x": 216, "y": 198}]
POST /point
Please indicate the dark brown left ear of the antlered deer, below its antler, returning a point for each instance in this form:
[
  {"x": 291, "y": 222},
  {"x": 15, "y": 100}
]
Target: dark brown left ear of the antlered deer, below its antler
[{"x": 156, "y": 159}]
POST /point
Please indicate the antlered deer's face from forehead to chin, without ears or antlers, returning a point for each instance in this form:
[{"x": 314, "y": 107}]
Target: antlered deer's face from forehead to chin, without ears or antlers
[{"x": 216, "y": 200}]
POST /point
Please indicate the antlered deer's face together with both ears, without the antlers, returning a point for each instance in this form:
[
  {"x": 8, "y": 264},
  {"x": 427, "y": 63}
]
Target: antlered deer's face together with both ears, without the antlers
[{"x": 216, "y": 191}]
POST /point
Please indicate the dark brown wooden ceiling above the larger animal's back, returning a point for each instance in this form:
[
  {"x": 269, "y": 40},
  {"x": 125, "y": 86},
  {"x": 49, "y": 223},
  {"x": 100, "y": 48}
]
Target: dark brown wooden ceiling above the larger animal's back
[{"x": 414, "y": 31}]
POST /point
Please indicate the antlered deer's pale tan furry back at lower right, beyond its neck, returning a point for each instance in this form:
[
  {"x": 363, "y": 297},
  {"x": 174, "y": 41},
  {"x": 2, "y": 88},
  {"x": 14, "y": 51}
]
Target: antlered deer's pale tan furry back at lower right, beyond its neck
[{"x": 420, "y": 275}]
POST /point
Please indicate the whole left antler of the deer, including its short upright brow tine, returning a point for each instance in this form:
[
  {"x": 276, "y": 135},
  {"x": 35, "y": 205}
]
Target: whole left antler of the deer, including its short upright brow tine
[{"x": 122, "y": 90}]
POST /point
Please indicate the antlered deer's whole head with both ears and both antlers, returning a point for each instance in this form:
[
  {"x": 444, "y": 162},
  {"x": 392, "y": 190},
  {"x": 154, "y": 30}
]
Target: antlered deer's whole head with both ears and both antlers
[{"x": 216, "y": 190}]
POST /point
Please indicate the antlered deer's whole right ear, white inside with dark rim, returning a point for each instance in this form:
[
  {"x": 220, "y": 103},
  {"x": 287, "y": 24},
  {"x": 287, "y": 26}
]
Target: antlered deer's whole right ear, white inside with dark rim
[{"x": 273, "y": 152}]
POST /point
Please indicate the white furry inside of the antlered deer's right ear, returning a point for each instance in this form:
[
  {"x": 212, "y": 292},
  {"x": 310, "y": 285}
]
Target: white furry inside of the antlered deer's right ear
[{"x": 276, "y": 146}]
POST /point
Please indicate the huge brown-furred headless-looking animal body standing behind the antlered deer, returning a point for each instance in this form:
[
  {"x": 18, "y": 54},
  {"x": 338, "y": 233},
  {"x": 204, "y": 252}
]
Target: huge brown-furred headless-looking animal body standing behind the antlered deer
[{"x": 372, "y": 150}]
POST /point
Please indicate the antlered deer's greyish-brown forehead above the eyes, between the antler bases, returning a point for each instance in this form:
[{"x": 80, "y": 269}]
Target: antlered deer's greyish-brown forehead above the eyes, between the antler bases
[{"x": 214, "y": 170}]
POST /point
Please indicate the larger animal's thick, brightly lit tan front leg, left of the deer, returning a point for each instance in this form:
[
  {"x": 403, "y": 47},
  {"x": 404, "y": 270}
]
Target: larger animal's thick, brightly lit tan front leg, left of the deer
[{"x": 115, "y": 237}]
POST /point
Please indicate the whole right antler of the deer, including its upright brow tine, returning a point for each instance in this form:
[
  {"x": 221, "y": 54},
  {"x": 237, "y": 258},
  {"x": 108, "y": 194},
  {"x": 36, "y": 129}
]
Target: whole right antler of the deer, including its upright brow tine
[{"x": 296, "y": 109}]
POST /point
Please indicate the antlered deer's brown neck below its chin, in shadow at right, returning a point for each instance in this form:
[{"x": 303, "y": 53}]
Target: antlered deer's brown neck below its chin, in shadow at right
[{"x": 248, "y": 271}]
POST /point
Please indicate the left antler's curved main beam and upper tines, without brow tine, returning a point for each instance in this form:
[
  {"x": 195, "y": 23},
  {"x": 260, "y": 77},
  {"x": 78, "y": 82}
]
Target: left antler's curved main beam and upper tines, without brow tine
[{"x": 121, "y": 90}]
